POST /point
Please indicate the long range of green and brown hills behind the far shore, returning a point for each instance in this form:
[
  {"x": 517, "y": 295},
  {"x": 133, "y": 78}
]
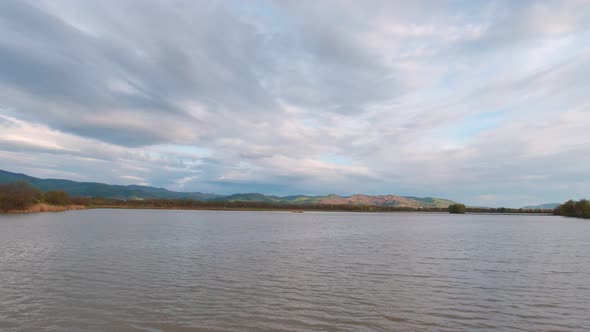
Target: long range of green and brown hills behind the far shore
[{"x": 94, "y": 189}]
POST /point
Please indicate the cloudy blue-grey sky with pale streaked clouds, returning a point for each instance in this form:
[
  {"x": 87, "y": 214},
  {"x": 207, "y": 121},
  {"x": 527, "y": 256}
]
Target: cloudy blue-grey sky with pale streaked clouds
[{"x": 482, "y": 102}]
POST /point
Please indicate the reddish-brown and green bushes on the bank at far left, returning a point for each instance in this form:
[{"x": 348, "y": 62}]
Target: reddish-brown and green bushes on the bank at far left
[{"x": 21, "y": 195}]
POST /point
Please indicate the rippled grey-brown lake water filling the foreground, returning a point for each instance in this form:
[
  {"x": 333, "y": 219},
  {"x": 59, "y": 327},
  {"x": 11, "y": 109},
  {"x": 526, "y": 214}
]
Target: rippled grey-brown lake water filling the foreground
[{"x": 153, "y": 270}]
